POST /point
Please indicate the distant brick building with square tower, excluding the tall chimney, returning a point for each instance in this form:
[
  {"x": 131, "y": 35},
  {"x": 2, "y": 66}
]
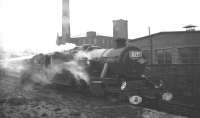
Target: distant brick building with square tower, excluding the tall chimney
[{"x": 120, "y": 30}]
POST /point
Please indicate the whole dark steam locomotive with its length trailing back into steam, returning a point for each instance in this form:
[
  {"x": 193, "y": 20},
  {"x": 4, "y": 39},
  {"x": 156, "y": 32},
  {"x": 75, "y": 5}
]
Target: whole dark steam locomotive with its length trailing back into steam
[{"x": 115, "y": 73}]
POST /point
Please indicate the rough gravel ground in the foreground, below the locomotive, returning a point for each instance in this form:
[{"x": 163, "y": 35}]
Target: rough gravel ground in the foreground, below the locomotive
[{"x": 60, "y": 102}]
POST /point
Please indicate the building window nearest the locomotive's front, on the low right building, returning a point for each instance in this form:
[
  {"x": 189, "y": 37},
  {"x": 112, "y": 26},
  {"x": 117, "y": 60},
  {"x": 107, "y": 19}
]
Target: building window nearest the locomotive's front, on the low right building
[{"x": 163, "y": 56}]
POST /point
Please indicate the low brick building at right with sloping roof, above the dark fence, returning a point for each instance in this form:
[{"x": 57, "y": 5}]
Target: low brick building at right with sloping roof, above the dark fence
[{"x": 170, "y": 47}]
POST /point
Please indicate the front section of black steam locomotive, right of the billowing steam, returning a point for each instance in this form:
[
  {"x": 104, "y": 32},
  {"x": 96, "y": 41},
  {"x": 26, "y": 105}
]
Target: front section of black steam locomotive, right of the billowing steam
[{"x": 119, "y": 73}]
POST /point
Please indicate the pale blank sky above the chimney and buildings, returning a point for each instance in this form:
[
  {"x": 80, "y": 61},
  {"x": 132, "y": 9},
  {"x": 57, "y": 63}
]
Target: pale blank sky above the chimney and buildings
[{"x": 33, "y": 24}]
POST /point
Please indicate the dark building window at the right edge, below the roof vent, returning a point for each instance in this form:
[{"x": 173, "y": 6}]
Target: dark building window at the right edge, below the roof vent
[{"x": 189, "y": 55}]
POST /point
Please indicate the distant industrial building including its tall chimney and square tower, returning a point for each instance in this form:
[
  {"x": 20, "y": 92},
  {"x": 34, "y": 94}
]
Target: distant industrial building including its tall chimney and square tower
[{"x": 120, "y": 30}]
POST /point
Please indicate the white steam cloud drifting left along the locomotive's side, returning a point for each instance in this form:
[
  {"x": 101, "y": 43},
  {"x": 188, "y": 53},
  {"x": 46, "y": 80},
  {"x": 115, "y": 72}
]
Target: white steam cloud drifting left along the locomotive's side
[{"x": 16, "y": 73}]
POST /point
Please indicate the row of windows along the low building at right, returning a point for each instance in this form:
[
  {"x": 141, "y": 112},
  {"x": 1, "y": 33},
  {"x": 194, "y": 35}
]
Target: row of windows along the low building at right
[{"x": 186, "y": 55}]
